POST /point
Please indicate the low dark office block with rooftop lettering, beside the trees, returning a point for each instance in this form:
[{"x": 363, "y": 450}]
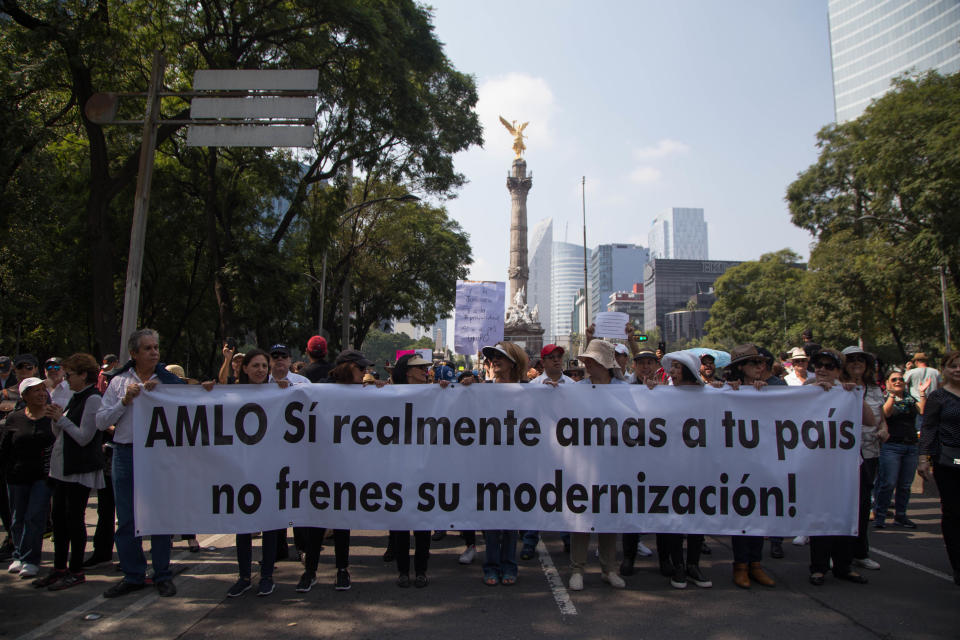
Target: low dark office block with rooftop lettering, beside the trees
[{"x": 684, "y": 286}]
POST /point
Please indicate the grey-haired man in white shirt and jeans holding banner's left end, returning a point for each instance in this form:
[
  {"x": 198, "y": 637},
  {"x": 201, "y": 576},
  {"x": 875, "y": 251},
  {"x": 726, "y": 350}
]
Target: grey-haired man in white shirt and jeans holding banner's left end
[{"x": 143, "y": 373}]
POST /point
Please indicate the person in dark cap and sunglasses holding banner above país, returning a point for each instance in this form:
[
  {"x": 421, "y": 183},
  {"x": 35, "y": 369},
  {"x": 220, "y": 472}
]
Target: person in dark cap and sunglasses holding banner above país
[{"x": 827, "y": 365}]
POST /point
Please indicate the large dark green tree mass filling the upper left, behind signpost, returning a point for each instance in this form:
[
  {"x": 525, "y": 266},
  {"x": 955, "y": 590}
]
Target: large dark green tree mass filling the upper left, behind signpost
[{"x": 231, "y": 231}]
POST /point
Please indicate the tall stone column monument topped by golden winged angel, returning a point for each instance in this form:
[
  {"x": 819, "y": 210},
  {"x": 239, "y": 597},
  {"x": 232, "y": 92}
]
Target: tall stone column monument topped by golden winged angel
[{"x": 521, "y": 324}]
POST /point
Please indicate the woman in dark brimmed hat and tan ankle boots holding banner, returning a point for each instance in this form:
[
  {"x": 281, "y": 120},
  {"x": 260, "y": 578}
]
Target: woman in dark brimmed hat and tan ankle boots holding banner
[{"x": 747, "y": 367}]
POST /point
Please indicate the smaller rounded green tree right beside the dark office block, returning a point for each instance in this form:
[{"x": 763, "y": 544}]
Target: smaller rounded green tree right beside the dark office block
[{"x": 759, "y": 302}]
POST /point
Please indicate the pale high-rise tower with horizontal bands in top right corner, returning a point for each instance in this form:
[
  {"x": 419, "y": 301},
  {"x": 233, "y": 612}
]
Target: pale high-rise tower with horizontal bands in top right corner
[{"x": 873, "y": 42}]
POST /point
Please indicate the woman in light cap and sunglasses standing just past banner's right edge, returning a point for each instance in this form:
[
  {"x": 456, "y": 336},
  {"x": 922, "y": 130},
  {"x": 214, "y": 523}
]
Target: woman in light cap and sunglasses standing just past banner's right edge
[{"x": 860, "y": 368}]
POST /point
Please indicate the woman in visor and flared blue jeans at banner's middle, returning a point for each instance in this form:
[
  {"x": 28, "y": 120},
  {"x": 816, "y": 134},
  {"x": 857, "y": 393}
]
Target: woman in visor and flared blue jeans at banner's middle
[{"x": 508, "y": 364}]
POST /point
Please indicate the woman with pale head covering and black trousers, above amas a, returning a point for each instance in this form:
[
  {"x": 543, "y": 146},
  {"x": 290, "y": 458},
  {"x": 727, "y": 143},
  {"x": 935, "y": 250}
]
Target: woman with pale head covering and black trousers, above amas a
[{"x": 684, "y": 370}]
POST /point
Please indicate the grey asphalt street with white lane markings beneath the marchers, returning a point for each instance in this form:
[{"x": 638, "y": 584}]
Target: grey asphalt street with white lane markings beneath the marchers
[{"x": 911, "y": 596}]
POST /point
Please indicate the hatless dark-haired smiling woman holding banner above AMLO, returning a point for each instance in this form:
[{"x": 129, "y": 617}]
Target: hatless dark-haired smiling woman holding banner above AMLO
[{"x": 255, "y": 369}]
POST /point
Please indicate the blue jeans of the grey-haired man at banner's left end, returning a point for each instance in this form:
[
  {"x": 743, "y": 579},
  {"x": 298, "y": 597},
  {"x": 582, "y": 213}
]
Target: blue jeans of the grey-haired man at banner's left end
[{"x": 129, "y": 547}]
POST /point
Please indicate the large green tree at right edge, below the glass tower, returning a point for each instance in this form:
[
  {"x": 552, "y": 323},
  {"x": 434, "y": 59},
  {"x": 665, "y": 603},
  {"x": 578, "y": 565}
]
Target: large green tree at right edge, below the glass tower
[{"x": 882, "y": 199}]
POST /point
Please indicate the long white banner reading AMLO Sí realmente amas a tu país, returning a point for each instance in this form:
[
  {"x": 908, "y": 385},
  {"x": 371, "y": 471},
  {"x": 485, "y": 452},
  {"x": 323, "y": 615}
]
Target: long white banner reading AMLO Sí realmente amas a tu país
[{"x": 613, "y": 458}]
